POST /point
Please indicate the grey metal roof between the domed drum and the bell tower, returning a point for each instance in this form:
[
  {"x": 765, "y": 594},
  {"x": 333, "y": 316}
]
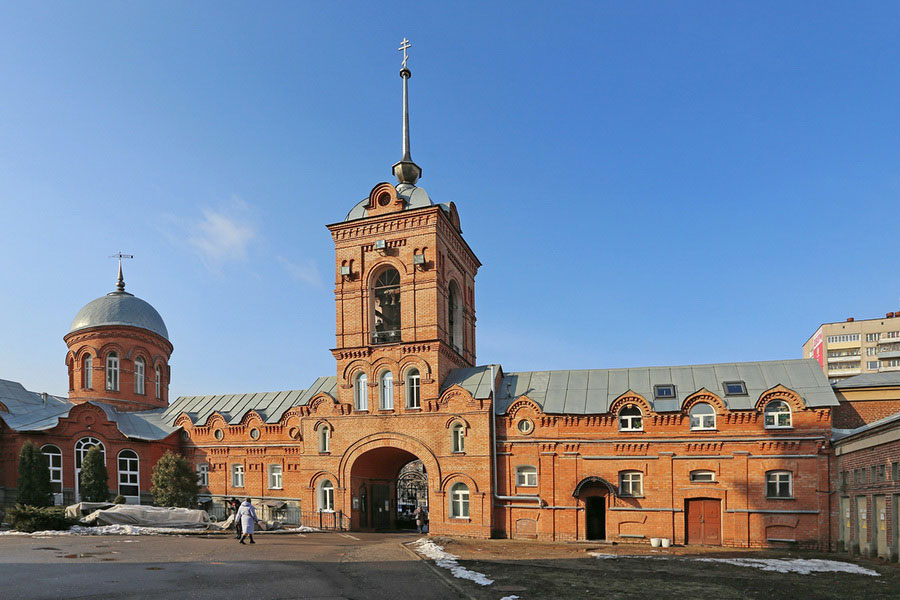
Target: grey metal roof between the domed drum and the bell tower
[{"x": 271, "y": 406}]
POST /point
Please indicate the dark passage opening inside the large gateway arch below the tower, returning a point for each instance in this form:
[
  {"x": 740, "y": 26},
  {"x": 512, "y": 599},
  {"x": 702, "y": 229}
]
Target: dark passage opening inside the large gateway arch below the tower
[{"x": 387, "y": 484}]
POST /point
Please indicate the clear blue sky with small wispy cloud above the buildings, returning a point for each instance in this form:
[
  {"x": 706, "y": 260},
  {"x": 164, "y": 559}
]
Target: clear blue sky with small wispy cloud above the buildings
[{"x": 647, "y": 183}]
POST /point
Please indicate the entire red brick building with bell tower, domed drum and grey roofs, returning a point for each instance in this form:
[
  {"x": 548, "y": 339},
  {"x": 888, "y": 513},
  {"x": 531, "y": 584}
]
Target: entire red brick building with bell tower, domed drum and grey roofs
[{"x": 732, "y": 454}]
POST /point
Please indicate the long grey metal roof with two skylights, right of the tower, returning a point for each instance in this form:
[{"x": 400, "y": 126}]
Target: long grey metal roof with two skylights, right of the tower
[{"x": 593, "y": 391}]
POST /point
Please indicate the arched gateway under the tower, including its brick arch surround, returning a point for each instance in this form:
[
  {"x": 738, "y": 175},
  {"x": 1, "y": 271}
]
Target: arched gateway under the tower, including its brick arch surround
[{"x": 385, "y": 477}]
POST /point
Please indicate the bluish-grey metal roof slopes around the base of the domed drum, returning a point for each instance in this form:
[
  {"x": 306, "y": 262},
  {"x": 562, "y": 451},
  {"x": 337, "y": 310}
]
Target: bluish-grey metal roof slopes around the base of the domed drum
[{"x": 30, "y": 411}]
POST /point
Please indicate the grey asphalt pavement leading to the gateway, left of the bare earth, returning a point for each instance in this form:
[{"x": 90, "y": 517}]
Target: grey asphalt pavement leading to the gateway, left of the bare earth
[{"x": 314, "y": 565}]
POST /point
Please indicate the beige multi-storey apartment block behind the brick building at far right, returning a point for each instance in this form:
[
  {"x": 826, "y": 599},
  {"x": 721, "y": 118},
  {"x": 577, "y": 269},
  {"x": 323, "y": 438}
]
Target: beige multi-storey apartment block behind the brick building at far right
[{"x": 854, "y": 347}]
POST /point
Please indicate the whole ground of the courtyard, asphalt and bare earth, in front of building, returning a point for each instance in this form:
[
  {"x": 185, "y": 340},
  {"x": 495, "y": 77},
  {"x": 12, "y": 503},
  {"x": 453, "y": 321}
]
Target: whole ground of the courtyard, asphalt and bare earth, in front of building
[{"x": 374, "y": 566}]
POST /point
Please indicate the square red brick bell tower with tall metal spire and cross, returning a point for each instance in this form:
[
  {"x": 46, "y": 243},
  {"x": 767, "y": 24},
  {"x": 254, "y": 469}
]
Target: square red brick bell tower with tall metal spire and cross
[{"x": 404, "y": 291}]
